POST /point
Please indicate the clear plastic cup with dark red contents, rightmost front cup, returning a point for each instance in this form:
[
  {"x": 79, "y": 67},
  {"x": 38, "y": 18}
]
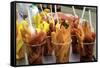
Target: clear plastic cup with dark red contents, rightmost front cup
[{"x": 86, "y": 51}]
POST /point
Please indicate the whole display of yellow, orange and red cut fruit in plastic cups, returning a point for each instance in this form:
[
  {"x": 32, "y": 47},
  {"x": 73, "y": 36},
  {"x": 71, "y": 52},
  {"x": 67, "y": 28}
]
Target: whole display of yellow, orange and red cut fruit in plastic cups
[{"x": 53, "y": 34}]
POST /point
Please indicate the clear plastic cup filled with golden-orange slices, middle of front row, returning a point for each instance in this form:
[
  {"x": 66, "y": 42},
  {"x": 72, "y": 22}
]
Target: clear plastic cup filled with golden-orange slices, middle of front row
[{"x": 62, "y": 51}]
